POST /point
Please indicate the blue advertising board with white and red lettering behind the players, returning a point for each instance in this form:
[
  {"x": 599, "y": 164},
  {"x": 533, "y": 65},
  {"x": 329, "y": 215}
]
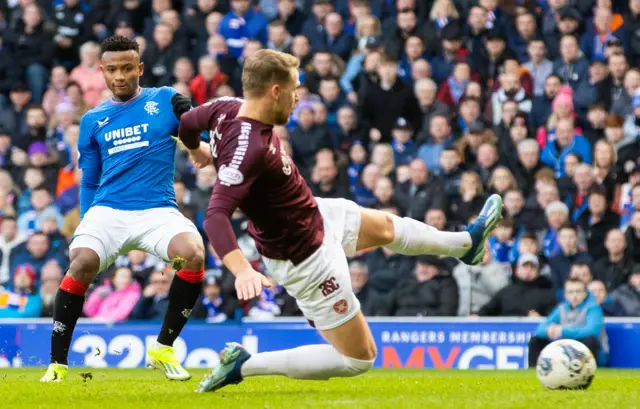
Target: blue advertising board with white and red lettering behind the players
[{"x": 402, "y": 343}]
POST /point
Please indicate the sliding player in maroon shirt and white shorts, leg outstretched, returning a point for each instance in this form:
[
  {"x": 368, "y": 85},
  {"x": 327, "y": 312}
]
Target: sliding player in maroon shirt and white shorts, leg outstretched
[{"x": 304, "y": 241}]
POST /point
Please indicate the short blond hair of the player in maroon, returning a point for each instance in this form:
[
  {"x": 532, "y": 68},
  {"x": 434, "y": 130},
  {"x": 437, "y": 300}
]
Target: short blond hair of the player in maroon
[{"x": 264, "y": 68}]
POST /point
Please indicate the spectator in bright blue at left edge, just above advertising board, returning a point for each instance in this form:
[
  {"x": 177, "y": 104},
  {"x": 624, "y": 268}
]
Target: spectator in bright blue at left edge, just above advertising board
[{"x": 21, "y": 301}]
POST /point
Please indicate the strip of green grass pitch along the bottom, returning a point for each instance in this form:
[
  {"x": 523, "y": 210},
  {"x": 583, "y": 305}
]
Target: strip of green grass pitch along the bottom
[{"x": 415, "y": 389}]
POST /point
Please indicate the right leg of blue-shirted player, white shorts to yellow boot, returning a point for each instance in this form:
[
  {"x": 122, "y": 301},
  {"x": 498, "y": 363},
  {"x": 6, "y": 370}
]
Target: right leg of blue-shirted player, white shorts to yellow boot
[{"x": 174, "y": 238}]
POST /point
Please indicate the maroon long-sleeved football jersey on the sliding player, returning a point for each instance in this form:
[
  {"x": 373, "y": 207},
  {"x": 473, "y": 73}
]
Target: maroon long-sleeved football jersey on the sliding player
[{"x": 256, "y": 175}]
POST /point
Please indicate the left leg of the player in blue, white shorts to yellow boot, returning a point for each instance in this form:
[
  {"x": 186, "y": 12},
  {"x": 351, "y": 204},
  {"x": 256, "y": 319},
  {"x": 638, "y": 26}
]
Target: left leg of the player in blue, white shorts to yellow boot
[{"x": 91, "y": 251}]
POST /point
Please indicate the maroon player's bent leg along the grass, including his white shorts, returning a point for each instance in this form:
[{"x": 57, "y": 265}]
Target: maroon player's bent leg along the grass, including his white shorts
[{"x": 322, "y": 287}]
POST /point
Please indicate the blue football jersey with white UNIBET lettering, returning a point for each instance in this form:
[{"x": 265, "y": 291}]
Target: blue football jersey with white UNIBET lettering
[{"x": 131, "y": 144}]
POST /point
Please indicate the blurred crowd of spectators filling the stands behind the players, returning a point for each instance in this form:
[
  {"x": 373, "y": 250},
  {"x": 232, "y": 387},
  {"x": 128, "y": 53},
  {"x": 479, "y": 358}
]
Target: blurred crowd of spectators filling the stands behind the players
[{"x": 417, "y": 107}]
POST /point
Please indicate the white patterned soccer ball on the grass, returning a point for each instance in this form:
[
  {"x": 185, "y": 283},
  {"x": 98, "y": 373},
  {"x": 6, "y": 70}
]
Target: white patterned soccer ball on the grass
[{"x": 566, "y": 364}]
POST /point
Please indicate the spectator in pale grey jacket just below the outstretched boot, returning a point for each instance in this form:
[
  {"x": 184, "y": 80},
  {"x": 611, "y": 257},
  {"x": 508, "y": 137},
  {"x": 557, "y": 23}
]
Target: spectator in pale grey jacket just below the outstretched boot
[{"x": 477, "y": 285}]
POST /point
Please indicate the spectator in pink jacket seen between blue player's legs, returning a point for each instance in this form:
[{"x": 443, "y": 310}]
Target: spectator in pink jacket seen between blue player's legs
[{"x": 114, "y": 300}]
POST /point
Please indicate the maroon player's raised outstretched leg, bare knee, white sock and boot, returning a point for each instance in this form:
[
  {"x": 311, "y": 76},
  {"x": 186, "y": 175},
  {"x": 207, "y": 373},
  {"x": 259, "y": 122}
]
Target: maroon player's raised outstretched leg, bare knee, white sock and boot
[{"x": 412, "y": 237}]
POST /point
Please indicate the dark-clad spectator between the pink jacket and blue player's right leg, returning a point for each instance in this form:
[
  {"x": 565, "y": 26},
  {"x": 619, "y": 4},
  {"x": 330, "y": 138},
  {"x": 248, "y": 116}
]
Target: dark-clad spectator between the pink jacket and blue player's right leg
[{"x": 154, "y": 301}]
